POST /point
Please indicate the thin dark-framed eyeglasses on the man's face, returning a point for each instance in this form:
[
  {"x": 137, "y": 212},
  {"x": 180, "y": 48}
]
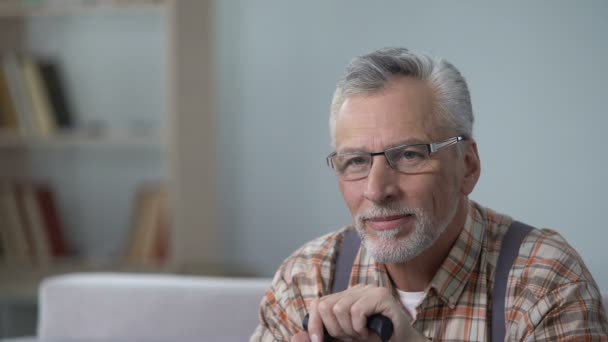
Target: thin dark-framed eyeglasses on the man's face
[{"x": 404, "y": 158}]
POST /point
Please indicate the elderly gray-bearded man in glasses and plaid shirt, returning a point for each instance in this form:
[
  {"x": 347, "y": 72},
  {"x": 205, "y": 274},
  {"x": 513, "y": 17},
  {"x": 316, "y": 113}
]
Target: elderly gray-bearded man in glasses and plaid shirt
[{"x": 406, "y": 161}]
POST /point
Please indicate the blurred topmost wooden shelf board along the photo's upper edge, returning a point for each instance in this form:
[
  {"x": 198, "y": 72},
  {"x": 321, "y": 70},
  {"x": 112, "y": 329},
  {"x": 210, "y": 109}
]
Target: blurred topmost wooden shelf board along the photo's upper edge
[{"x": 17, "y": 9}]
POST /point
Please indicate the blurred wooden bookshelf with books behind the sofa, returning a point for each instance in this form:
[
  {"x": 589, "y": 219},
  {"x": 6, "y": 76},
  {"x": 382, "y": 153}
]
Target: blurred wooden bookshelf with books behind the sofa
[{"x": 138, "y": 78}]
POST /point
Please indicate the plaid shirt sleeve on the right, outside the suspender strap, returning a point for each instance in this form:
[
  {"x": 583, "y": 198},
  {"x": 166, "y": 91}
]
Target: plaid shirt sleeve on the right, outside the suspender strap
[{"x": 554, "y": 295}]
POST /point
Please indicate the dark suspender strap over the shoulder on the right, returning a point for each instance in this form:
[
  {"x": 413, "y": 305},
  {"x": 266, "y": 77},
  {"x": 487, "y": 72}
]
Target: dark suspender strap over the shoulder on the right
[{"x": 509, "y": 249}]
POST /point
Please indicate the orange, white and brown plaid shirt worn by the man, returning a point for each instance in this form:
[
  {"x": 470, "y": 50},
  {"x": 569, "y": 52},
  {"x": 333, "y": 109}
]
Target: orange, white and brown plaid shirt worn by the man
[{"x": 550, "y": 293}]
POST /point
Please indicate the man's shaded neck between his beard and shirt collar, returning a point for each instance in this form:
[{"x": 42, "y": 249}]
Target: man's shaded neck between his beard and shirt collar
[{"x": 416, "y": 274}]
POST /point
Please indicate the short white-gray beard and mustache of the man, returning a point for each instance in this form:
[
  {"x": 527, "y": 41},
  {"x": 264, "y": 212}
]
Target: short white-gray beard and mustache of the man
[{"x": 387, "y": 248}]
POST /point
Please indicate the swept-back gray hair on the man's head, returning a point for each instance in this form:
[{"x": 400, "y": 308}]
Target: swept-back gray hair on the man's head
[{"x": 370, "y": 73}]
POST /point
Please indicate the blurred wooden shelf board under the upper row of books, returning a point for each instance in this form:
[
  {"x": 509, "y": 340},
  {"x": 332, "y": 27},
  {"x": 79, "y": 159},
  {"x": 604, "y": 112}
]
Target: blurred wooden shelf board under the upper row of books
[{"x": 82, "y": 138}]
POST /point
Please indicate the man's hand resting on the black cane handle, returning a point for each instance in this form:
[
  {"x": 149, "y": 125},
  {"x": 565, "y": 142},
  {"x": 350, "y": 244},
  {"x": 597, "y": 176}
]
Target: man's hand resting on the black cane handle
[{"x": 344, "y": 315}]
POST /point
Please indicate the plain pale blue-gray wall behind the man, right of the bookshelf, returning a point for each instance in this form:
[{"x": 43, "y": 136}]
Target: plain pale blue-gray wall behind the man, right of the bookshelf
[{"x": 537, "y": 75}]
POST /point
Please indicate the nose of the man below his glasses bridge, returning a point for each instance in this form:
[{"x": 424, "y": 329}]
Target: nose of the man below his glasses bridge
[{"x": 382, "y": 181}]
